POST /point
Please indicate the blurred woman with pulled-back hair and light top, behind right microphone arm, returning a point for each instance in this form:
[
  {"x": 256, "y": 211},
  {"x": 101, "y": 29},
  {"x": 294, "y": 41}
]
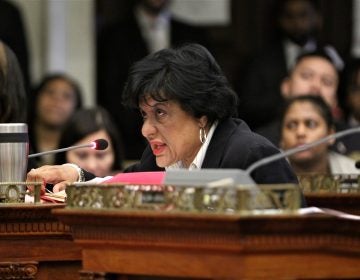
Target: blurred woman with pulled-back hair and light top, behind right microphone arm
[{"x": 306, "y": 119}]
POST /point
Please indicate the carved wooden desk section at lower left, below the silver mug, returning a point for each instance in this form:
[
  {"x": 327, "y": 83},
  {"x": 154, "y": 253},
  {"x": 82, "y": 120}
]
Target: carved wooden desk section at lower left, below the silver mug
[{"x": 36, "y": 245}]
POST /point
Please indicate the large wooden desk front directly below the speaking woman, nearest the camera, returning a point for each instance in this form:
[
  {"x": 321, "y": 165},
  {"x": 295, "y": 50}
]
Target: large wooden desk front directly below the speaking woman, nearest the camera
[{"x": 215, "y": 246}]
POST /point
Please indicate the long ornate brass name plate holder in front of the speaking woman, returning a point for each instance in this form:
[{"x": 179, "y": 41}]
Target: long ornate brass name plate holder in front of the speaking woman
[{"x": 239, "y": 199}]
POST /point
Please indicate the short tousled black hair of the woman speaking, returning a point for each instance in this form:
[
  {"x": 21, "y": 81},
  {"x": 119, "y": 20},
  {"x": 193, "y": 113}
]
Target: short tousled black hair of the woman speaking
[{"x": 188, "y": 75}]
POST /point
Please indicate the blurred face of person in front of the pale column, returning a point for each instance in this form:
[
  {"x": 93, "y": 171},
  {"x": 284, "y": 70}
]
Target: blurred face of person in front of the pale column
[{"x": 56, "y": 103}]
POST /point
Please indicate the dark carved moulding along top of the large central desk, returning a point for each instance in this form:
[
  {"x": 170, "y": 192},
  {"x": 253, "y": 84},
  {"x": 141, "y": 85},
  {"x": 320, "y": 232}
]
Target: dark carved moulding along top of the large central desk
[{"x": 211, "y": 233}]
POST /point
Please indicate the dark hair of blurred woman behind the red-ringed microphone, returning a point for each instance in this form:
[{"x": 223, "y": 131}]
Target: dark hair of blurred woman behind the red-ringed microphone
[{"x": 88, "y": 121}]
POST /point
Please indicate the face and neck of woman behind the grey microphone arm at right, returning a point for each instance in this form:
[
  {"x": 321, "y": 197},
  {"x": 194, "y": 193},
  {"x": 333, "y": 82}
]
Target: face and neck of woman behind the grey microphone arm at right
[{"x": 304, "y": 124}]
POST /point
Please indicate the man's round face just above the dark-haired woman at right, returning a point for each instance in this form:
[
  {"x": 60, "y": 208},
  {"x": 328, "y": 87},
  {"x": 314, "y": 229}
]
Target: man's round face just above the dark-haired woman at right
[{"x": 313, "y": 75}]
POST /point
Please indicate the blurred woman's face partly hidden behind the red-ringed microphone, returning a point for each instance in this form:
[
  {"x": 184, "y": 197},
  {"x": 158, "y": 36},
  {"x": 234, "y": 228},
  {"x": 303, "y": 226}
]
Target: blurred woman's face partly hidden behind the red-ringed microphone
[{"x": 97, "y": 162}]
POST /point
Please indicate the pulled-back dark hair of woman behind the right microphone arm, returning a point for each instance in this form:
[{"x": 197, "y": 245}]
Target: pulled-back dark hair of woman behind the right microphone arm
[{"x": 319, "y": 103}]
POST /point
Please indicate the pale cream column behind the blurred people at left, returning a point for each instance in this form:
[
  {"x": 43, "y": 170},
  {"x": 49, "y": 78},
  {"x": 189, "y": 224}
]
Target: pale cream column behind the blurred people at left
[{"x": 60, "y": 36}]
